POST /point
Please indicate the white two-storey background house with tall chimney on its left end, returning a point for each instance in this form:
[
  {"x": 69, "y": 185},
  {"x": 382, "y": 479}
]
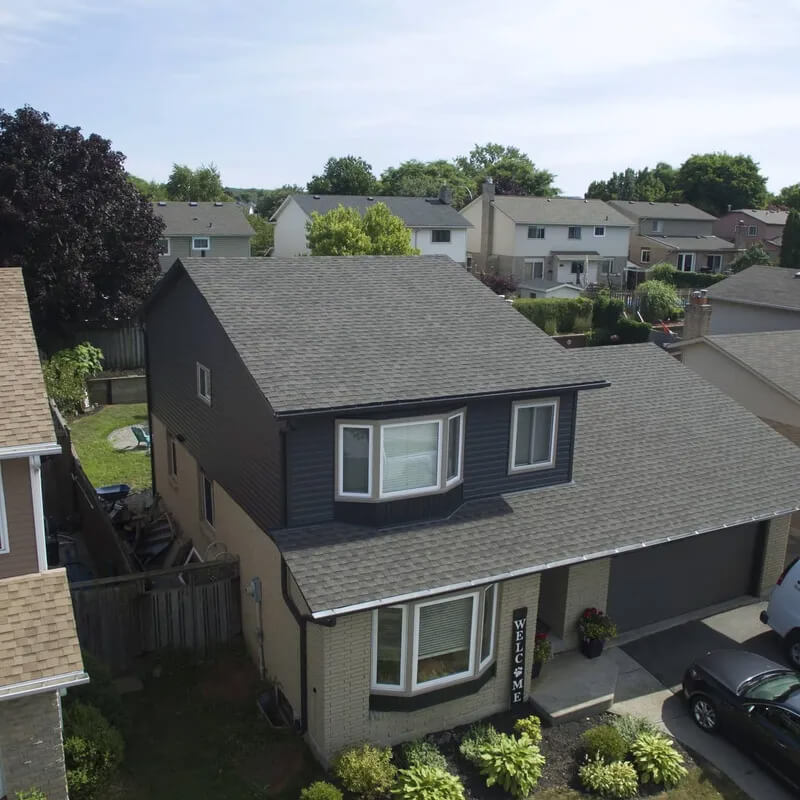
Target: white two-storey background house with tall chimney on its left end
[{"x": 557, "y": 240}]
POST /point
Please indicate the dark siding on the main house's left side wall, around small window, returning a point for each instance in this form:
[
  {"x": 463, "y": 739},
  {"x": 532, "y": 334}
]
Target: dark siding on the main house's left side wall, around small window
[{"x": 236, "y": 440}]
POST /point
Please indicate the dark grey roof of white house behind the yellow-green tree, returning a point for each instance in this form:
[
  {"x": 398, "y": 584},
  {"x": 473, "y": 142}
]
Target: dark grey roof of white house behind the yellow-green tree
[{"x": 416, "y": 212}]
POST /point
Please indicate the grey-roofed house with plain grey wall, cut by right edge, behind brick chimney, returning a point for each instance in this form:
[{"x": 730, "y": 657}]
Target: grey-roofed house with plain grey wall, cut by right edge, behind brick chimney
[{"x": 760, "y": 298}]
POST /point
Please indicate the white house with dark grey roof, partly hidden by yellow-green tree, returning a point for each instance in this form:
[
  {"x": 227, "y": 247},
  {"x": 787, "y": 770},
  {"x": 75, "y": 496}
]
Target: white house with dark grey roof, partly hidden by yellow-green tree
[{"x": 436, "y": 228}]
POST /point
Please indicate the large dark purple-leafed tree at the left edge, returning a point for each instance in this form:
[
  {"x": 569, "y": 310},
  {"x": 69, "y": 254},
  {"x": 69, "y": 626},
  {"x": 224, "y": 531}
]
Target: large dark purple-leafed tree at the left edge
[{"x": 85, "y": 238}]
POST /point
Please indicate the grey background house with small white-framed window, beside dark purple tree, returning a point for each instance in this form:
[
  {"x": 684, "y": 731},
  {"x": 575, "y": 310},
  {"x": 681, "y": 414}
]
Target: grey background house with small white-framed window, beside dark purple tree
[{"x": 202, "y": 229}]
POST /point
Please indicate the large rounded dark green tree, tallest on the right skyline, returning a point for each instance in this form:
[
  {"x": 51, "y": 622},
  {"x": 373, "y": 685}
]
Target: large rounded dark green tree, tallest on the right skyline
[{"x": 713, "y": 181}]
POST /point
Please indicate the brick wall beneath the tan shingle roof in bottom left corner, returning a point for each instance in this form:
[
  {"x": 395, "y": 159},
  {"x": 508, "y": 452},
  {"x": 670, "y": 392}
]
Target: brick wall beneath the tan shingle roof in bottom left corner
[{"x": 31, "y": 747}]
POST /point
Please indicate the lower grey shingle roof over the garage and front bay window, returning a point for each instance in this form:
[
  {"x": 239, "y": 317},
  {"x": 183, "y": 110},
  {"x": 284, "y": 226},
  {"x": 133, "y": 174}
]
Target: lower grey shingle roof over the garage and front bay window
[{"x": 716, "y": 466}]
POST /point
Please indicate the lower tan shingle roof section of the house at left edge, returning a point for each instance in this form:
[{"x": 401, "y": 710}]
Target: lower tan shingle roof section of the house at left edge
[{"x": 38, "y": 640}]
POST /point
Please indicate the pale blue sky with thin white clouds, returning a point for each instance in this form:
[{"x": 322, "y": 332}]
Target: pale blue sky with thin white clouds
[{"x": 269, "y": 91}]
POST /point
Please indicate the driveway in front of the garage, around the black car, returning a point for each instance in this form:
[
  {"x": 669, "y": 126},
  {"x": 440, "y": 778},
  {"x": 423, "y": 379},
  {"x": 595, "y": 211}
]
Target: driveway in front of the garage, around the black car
[{"x": 650, "y": 674}]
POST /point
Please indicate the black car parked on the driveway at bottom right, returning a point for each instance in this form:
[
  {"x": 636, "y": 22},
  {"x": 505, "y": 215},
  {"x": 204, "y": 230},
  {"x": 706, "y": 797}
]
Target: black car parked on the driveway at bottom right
[{"x": 752, "y": 700}]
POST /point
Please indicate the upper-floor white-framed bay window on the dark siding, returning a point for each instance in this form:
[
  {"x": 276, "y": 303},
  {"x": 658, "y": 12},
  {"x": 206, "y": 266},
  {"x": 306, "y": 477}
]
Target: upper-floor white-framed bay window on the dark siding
[{"x": 392, "y": 459}]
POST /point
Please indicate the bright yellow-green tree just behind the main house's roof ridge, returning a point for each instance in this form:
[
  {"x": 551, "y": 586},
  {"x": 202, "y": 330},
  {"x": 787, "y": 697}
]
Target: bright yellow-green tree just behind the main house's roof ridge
[{"x": 344, "y": 232}]
